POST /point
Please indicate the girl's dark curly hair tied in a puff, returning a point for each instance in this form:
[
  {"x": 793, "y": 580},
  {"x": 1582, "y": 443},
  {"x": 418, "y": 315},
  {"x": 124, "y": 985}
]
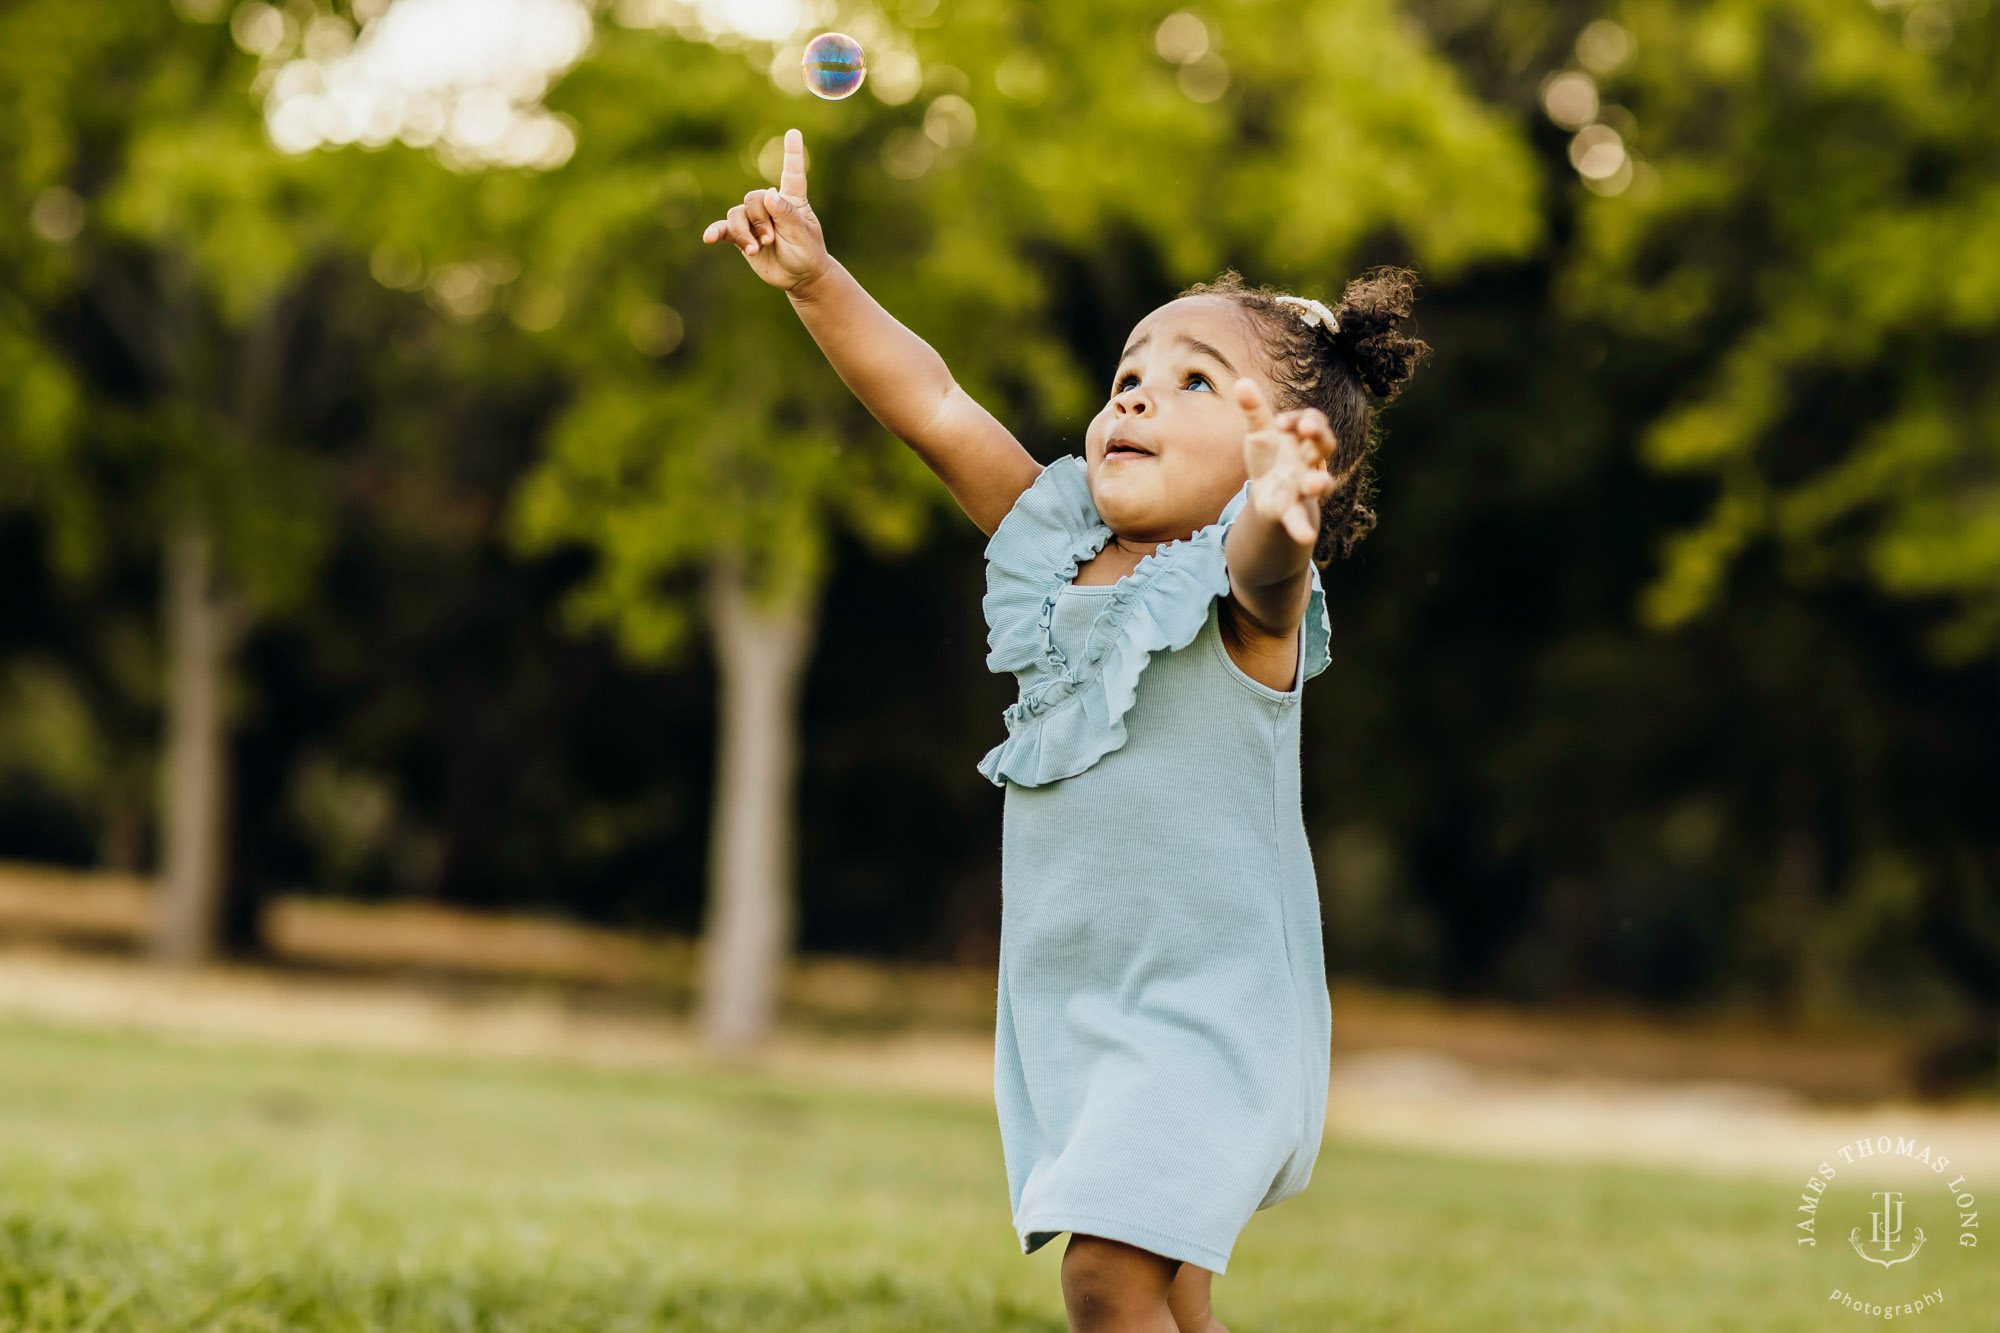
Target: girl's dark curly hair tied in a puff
[{"x": 1369, "y": 357}]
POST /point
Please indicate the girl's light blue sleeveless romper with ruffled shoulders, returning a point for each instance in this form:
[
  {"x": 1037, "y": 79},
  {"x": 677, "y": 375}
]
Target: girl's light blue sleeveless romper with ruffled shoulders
[{"x": 1163, "y": 1018}]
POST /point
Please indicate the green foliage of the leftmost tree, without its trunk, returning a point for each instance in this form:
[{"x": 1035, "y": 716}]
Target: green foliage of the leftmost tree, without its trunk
[{"x": 145, "y": 193}]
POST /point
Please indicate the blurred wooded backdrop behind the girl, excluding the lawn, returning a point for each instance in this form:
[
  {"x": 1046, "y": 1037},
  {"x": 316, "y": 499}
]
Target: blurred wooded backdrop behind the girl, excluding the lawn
[{"x": 407, "y": 513}]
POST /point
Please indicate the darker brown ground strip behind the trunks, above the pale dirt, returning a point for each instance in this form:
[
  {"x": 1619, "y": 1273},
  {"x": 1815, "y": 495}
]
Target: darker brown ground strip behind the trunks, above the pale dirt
[{"x": 445, "y": 952}]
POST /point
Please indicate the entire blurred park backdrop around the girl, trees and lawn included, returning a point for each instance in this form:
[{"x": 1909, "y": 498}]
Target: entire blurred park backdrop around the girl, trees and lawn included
[{"x": 469, "y": 663}]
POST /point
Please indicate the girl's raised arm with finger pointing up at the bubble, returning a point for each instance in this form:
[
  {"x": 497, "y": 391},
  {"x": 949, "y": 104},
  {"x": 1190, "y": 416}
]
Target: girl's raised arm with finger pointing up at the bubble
[{"x": 899, "y": 377}]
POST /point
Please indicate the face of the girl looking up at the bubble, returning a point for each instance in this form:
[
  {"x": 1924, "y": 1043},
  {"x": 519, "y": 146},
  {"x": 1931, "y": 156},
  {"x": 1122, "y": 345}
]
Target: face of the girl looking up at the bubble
[{"x": 1173, "y": 397}]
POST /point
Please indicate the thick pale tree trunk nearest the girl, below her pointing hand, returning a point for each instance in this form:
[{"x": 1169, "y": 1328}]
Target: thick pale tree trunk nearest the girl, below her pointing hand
[{"x": 761, "y": 657}]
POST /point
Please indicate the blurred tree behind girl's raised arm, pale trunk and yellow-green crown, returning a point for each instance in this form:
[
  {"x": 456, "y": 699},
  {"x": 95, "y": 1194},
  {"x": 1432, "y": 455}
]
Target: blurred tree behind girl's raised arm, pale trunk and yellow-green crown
[{"x": 709, "y": 433}]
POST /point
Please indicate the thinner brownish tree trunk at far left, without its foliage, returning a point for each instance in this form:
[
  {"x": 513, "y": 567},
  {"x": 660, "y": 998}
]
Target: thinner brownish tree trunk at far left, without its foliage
[{"x": 195, "y": 778}]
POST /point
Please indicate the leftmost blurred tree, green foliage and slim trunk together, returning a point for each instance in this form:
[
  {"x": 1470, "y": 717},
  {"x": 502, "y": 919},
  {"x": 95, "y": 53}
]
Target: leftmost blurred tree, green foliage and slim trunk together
[{"x": 163, "y": 293}]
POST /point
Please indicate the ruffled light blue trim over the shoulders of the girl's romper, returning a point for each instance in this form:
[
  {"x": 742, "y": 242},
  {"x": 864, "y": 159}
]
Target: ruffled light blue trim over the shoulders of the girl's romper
[{"x": 1071, "y": 716}]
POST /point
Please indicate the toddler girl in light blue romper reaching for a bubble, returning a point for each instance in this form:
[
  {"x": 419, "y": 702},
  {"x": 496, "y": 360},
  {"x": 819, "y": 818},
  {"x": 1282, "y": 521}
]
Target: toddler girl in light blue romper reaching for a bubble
[{"x": 1163, "y": 1018}]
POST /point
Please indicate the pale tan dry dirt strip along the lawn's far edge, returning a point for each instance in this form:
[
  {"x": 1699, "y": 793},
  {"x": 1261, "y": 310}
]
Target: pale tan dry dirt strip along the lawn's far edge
[{"x": 1383, "y": 1094}]
